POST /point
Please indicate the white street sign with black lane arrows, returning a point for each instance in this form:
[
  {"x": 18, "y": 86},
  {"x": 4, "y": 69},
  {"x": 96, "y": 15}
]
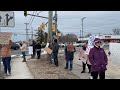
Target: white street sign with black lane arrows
[{"x": 7, "y": 19}]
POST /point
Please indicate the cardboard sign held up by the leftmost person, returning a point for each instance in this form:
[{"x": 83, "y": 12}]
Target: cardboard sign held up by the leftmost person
[{"x": 5, "y": 37}]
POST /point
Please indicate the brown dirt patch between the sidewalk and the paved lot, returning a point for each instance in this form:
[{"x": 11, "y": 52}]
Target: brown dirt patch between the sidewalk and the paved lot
[{"x": 42, "y": 69}]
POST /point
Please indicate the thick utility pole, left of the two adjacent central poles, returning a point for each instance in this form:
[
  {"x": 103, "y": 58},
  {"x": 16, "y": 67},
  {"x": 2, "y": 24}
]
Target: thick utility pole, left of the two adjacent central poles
[{"x": 50, "y": 15}]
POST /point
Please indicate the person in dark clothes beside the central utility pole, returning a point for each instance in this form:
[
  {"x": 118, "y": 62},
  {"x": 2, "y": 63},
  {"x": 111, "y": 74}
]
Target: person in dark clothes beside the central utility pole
[{"x": 55, "y": 52}]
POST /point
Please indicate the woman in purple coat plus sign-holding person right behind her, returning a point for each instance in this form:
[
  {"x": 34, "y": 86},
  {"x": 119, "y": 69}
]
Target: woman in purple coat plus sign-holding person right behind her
[{"x": 95, "y": 58}]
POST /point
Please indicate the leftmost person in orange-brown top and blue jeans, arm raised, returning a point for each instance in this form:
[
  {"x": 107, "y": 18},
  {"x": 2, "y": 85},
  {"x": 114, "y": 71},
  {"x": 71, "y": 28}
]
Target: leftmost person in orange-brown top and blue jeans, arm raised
[{"x": 6, "y": 58}]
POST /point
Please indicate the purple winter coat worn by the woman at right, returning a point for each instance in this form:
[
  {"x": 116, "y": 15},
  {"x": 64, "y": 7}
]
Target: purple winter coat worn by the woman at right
[{"x": 98, "y": 59}]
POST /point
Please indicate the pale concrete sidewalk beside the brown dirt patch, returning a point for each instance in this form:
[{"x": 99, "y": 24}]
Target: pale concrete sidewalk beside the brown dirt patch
[{"x": 19, "y": 70}]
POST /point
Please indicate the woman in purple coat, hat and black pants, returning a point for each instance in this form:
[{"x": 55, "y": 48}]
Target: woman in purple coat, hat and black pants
[{"x": 98, "y": 60}]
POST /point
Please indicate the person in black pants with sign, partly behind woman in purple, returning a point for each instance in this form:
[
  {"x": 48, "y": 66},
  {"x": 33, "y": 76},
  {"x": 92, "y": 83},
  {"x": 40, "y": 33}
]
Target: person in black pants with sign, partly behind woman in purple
[{"x": 85, "y": 58}]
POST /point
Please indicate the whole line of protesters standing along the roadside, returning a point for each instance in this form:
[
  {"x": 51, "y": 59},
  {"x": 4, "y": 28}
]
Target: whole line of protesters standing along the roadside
[{"x": 95, "y": 58}]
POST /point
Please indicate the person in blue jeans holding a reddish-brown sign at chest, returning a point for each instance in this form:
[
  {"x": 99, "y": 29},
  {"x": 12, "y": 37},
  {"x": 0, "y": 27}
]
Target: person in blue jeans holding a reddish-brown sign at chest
[{"x": 69, "y": 52}]
